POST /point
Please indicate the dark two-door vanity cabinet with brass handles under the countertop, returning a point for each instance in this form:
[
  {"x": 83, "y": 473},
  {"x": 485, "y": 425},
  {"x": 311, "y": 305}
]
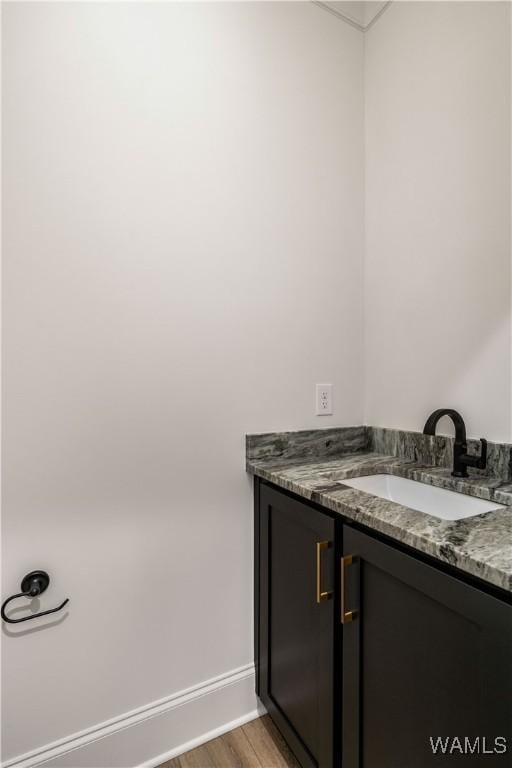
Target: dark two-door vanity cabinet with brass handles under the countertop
[{"x": 420, "y": 654}]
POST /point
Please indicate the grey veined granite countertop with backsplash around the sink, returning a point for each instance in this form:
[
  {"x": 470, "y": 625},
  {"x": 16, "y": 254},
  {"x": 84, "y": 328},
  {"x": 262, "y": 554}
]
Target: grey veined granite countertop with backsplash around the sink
[{"x": 313, "y": 465}]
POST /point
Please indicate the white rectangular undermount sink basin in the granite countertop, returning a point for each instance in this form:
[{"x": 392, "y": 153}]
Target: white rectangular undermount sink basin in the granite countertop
[{"x": 447, "y": 505}]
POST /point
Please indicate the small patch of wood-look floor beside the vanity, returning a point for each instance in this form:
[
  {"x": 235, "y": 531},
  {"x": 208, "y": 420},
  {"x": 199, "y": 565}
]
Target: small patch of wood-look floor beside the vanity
[{"x": 257, "y": 744}]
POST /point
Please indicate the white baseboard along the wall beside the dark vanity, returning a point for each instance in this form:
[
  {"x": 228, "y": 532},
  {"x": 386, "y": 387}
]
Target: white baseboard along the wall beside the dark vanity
[{"x": 156, "y": 732}]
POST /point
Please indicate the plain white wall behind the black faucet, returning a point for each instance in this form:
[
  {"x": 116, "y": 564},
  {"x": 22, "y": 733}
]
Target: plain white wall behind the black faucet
[{"x": 437, "y": 272}]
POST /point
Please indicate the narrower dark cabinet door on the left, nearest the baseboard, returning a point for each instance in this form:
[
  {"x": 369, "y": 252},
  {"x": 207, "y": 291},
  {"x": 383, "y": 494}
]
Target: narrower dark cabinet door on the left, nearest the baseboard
[{"x": 296, "y": 623}]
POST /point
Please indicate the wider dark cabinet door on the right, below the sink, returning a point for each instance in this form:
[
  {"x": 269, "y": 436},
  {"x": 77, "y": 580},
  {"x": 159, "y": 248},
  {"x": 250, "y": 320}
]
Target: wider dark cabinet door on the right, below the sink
[{"x": 426, "y": 657}]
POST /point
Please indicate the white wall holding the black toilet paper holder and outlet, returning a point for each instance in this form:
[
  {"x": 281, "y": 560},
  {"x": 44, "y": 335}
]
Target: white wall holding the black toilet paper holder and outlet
[{"x": 183, "y": 234}]
